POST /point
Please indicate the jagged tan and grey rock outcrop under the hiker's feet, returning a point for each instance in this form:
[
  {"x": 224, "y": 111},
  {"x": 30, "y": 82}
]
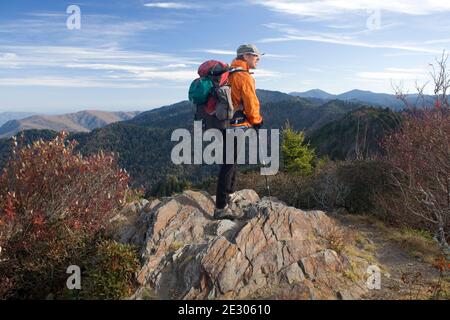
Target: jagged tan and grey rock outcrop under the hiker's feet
[{"x": 273, "y": 252}]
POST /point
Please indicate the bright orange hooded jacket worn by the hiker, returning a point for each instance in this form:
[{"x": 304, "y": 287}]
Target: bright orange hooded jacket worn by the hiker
[{"x": 243, "y": 92}]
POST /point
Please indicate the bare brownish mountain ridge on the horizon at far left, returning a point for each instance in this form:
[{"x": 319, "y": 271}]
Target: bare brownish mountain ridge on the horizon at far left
[{"x": 82, "y": 121}]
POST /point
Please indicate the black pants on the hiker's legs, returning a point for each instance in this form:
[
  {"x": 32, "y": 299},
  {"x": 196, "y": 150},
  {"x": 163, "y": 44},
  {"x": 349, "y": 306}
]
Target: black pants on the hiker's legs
[{"x": 226, "y": 183}]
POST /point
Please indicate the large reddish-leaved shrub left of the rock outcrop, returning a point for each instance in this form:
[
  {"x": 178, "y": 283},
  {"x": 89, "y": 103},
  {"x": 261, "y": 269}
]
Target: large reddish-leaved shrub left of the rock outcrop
[{"x": 53, "y": 204}]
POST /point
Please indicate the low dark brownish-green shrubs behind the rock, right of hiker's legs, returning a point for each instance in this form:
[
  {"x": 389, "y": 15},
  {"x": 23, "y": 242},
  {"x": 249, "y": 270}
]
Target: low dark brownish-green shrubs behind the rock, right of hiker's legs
[{"x": 353, "y": 185}]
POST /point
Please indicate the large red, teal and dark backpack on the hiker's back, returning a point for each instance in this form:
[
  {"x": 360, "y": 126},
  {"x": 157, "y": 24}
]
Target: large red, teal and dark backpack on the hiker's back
[{"x": 211, "y": 95}]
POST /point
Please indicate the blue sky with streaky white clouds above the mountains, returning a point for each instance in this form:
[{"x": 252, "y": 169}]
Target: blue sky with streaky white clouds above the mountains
[{"x": 141, "y": 54}]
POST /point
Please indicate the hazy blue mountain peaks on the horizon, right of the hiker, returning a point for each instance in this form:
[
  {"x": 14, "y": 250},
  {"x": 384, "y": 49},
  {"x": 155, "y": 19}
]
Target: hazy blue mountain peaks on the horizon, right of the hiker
[{"x": 368, "y": 97}]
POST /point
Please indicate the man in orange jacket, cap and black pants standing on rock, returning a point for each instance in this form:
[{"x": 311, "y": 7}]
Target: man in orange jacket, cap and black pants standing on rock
[{"x": 243, "y": 93}]
